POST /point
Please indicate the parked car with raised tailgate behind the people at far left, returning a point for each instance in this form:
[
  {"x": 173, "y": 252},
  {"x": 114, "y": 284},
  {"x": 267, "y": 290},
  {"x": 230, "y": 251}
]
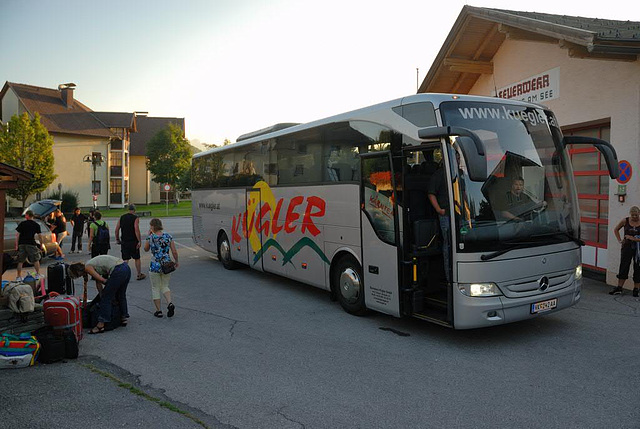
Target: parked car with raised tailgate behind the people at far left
[{"x": 41, "y": 209}]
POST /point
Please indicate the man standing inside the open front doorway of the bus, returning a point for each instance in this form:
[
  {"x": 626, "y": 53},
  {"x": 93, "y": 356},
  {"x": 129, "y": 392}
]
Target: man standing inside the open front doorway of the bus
[{"x": 439, "y": 198}]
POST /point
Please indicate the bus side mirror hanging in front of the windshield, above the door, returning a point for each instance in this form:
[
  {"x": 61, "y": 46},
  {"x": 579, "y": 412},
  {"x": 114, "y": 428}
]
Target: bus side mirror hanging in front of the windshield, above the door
[{"x": 471, "y": 147}]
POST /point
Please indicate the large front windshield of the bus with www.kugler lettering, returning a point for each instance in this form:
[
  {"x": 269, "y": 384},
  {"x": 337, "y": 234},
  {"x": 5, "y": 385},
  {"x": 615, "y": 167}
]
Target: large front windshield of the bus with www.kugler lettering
[{"x": 528, "y": 198}]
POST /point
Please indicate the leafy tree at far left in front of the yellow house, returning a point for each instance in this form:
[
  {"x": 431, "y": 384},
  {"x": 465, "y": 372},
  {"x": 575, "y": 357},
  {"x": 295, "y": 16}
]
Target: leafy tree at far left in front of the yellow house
[{"x": 25, "y": 143}]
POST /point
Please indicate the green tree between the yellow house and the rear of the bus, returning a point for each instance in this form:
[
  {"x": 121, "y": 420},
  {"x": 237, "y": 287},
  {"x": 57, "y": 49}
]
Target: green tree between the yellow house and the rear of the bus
[{"x": 169, "y": 154}]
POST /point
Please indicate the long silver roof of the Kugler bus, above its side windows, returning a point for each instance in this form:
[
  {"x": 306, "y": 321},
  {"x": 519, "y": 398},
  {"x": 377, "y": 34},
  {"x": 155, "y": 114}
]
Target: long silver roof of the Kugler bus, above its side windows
[{"x": 435, "y": 98}]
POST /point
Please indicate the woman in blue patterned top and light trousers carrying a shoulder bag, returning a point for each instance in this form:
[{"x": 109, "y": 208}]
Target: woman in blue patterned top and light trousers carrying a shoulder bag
[{"x": 160, "y": 243}]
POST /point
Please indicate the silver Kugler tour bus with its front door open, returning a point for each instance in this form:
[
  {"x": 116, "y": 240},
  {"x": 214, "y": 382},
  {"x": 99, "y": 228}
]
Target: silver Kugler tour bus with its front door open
[{"x": 459, "y": 210}]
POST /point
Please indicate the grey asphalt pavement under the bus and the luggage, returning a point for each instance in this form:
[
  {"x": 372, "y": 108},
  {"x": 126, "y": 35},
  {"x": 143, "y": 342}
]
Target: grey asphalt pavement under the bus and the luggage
[{"x": 250, "y": 350}]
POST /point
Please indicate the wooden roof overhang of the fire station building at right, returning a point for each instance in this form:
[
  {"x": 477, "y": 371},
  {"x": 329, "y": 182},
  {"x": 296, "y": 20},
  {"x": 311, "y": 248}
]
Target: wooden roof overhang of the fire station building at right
[{"x": 478, "y": 34}]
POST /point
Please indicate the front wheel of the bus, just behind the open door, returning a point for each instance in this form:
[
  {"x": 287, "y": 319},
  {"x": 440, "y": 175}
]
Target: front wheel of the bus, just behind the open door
[{"x": 349, "y": 286}]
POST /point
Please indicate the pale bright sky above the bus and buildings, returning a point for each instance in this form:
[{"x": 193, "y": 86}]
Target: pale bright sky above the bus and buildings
[{"x": 234, "y": 66}]
